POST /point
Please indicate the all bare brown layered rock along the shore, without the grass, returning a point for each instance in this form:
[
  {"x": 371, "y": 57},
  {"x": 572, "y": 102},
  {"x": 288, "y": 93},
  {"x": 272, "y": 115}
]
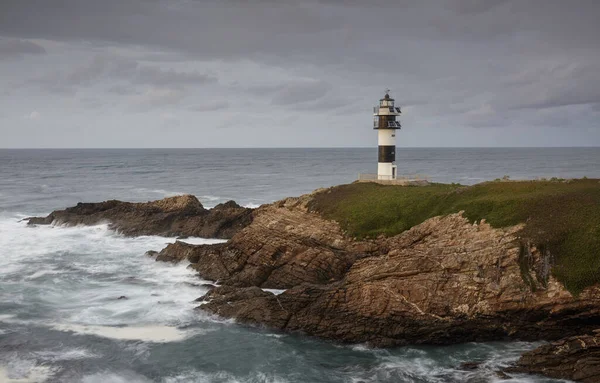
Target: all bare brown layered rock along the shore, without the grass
[{"x": 444, "y": 281}]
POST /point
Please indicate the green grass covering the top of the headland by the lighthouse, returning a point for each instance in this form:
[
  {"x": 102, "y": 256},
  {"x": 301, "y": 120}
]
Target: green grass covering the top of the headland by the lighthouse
[{"x": 564, "y": 217}]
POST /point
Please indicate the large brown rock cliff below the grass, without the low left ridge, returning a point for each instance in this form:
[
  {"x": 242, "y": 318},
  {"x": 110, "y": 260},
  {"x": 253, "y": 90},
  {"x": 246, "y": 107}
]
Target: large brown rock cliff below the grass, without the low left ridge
[{"x": 443, "y": 281}]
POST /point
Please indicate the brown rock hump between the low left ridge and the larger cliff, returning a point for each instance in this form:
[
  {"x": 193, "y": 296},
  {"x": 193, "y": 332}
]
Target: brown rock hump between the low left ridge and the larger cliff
[{"x": 284, "y": 246}]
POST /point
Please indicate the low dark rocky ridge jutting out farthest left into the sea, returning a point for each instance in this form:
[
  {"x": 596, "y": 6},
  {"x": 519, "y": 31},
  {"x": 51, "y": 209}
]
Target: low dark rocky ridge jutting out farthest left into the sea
[{"x": 174, "y": 216}]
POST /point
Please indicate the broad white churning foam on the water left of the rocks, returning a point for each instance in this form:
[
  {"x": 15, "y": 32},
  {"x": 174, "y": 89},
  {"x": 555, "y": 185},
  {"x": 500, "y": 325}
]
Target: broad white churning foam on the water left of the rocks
[{"x": 76, "y": 275}]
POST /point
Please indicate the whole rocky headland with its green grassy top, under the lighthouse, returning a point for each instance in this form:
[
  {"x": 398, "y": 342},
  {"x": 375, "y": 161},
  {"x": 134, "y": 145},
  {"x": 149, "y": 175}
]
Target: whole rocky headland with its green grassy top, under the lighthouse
[{"x": 393, "y": 265}]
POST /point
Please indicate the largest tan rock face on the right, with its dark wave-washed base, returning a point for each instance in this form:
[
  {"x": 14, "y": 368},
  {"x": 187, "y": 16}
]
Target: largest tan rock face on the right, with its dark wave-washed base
[{"x": 444, "y": 281}]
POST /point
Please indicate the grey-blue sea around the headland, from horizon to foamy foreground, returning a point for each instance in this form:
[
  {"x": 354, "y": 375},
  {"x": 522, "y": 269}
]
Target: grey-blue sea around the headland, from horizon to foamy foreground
[{"x": 61, "y": 319}]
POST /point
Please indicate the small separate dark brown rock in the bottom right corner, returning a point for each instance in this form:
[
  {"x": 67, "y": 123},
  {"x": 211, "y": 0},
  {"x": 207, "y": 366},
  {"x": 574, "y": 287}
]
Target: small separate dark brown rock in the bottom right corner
[{"x": 575, "y": 358}]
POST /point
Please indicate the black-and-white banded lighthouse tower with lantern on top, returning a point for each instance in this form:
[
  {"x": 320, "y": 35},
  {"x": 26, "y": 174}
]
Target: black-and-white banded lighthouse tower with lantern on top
[{"x": 384, "y": 121}]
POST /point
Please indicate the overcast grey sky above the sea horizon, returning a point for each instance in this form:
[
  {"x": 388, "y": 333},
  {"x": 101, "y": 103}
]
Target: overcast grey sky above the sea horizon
[{"x": 234, "y": 73}]
